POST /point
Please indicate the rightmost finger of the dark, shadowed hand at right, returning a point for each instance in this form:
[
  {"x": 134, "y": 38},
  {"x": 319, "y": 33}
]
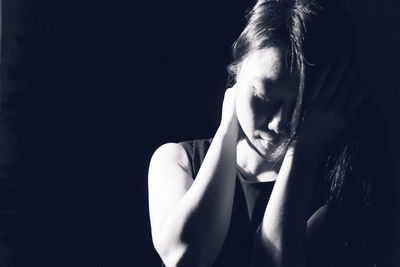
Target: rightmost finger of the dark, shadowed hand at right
[{"x": 346, "y": 85}]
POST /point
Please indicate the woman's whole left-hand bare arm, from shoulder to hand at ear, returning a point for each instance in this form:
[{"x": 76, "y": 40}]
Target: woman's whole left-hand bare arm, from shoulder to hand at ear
[{"x": 190, "y": 218}]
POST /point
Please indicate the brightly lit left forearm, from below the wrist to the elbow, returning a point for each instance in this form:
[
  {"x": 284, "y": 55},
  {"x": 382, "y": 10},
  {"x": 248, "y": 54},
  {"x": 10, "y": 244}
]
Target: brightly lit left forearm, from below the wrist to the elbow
[{"x": 195, "y": 229}]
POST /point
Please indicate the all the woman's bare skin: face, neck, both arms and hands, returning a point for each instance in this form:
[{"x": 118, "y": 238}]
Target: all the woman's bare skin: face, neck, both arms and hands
[{"x": 190, "y": 217}]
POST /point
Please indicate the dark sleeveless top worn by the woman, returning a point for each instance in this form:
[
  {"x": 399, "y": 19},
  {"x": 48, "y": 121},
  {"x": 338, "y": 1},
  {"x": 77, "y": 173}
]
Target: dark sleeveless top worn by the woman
[{"x": 250, "y": 201}]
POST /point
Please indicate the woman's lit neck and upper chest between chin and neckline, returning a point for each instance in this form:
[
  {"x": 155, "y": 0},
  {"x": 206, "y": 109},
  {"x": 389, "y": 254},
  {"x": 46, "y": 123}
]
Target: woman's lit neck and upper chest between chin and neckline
[{"x": 255, "y": 167}]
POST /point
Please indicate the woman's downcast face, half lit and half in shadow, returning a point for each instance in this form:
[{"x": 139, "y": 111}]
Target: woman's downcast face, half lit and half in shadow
[{"x": 265, "y": 99}]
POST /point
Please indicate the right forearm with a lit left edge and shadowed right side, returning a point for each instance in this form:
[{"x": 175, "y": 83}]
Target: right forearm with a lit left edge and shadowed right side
[{"x": 281, "y": 237}]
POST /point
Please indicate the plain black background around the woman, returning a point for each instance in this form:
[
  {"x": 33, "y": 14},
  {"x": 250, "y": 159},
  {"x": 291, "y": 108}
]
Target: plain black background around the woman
[{"x": 90, "y": 89}]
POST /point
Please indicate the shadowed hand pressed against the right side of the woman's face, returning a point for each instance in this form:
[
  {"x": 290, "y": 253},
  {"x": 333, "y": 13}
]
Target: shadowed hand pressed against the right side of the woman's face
[{"x": 330, "y": 105}]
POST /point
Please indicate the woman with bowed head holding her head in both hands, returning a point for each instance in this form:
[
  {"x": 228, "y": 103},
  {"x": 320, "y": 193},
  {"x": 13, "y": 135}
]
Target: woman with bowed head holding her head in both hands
[{"x": 280, "y": 183}]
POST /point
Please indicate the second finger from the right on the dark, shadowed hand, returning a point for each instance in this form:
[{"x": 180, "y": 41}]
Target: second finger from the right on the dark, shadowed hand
[{"x": 332, "y": 81}]
